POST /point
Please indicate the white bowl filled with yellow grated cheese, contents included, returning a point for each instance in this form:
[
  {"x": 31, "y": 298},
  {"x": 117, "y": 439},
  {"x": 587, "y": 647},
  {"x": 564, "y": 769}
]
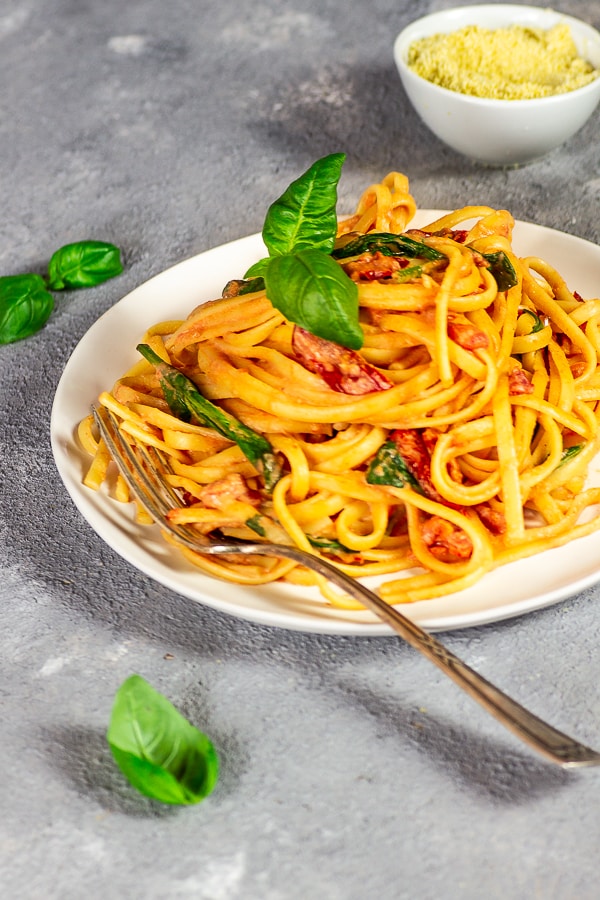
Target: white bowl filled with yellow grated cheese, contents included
[{"x": 502, "y": 84}]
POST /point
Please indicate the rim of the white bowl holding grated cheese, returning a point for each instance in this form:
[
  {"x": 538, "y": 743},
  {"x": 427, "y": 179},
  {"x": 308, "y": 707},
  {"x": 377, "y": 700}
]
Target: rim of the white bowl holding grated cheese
[{"x": 403, "y": 40}]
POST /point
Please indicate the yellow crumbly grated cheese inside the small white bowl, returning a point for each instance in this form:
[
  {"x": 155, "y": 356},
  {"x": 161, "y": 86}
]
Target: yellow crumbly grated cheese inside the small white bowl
[{"x": 514, "y": 63}]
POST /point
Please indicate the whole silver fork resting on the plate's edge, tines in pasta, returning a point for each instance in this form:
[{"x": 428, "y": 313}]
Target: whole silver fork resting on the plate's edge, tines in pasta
[{"x": 143, "y": 468}]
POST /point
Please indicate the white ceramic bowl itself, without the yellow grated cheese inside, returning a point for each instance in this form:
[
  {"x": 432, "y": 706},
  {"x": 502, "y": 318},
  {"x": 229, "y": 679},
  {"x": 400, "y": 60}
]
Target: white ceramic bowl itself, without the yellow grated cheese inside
[{"x": 499, "y": 132}]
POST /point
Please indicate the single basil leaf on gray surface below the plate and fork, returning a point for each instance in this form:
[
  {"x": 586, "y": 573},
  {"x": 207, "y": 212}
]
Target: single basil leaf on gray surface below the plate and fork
[{"x": 157, "y": 749}]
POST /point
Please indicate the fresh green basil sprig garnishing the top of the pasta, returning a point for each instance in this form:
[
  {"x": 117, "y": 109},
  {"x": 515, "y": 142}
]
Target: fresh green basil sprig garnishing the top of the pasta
[{"x": 302, "y": 280}]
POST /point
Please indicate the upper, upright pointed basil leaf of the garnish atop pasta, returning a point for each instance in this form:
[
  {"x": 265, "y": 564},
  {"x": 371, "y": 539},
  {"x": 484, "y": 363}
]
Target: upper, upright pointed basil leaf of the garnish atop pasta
[{"x": 305, "y": 214}]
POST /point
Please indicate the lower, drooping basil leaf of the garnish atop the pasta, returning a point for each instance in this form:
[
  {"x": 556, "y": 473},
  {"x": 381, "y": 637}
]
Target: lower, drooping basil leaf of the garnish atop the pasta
[{"x": 313, "y": 291}]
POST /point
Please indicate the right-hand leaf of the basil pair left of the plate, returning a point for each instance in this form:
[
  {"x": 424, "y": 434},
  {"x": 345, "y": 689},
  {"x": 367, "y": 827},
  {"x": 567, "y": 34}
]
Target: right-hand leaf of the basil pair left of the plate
[{"x": 83, "y": 264}]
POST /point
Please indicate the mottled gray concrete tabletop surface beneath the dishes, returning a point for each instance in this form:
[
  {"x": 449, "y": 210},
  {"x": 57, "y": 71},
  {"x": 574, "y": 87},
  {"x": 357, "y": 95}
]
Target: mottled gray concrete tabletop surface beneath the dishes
[{"x": 350, "y": 767}]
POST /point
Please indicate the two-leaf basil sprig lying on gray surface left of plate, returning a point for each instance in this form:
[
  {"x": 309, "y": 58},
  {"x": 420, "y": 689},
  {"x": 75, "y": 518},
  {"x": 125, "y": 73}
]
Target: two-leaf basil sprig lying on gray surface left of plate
[{"x": 25, "y": 300}]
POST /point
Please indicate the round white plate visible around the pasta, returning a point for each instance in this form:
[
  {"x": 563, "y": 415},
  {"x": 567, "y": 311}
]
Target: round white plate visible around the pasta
[{"x": 108, "y": 350}]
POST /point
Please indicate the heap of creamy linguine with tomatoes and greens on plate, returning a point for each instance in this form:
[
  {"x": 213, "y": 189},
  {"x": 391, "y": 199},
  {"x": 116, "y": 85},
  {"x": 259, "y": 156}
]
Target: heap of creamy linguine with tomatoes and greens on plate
[{"x": 449, "y": 433}]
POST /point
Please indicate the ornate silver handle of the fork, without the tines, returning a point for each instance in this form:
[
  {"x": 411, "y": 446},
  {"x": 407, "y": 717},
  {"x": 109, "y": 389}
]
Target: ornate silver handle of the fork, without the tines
[{"x": 547, "y": 740}]
